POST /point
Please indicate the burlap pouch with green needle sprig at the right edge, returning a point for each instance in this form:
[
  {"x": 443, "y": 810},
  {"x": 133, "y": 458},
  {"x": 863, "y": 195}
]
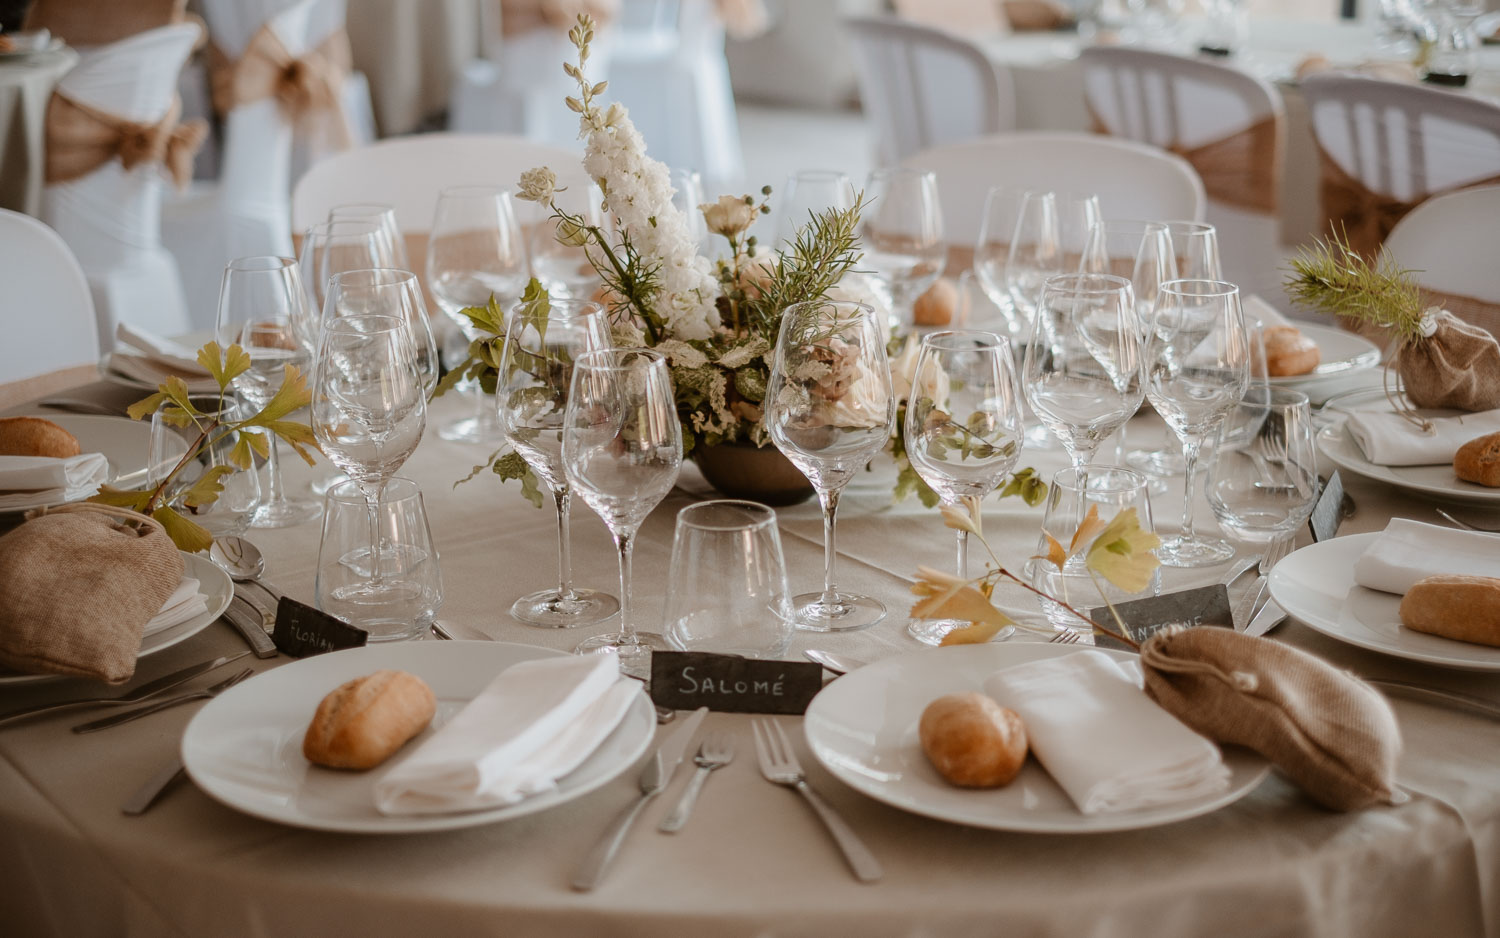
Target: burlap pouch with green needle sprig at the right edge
[{"x": 1456, "y": 364}]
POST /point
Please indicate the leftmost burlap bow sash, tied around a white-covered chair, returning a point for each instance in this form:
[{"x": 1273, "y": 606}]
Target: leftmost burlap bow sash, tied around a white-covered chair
[{"x": 82, "y": 139}]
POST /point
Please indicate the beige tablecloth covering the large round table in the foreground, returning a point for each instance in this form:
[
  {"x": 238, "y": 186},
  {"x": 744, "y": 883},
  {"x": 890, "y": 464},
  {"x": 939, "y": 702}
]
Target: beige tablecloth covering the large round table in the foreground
[{"x": 752, "y": 862}]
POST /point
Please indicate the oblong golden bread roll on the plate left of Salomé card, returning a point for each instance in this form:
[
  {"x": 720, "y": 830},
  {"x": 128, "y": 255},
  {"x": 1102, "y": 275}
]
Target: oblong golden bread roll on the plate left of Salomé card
[{"x": 364, "y": 723}]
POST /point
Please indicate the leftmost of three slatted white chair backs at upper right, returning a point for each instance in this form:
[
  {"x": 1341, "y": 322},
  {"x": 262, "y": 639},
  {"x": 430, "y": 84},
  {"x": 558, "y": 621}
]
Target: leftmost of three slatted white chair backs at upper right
[{"x": 925, "y": 88}]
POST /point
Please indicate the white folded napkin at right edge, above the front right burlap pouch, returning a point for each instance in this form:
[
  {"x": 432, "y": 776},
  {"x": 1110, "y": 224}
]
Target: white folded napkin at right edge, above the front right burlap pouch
[{"x": 1409, "y": 552}]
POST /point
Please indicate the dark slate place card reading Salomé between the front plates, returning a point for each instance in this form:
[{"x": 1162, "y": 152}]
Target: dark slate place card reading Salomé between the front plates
[{"x": 688, "y": 681}]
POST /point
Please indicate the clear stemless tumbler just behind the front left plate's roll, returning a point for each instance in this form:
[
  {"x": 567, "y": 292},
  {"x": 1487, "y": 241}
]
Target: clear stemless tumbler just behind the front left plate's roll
[{"x": 406, "y": 597}]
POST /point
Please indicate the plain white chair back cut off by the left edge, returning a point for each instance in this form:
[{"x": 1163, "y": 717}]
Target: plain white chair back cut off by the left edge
[{"x": 52, "y": 319}]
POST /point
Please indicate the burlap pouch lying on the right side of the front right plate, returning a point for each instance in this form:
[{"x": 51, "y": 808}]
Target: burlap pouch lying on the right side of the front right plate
[{"x": 1331, "y": 733}]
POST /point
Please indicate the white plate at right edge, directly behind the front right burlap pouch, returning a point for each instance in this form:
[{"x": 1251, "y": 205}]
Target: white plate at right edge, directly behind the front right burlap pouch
[{"x": 1316, "y": 586}]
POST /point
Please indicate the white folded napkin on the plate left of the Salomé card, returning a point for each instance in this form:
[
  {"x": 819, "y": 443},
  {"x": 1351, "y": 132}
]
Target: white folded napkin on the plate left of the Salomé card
[{"x": 529, "y": 729}]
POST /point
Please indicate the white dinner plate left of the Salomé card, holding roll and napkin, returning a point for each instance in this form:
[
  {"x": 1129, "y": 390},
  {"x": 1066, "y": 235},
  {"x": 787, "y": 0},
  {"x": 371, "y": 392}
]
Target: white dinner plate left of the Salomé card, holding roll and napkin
[{"x": 245, "y": 748}]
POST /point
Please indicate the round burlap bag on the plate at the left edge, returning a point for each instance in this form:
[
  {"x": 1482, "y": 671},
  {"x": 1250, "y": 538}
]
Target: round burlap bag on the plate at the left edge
[{"x": 77, "y": 586}]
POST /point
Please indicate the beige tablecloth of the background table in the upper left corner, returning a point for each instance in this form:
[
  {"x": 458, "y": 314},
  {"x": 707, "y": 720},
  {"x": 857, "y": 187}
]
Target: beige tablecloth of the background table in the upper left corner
[{"x": 26, "y": 86}]
